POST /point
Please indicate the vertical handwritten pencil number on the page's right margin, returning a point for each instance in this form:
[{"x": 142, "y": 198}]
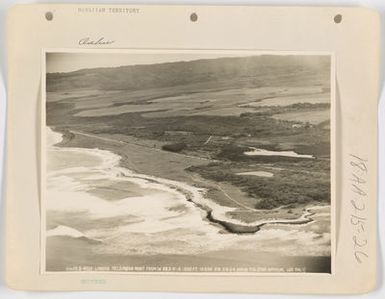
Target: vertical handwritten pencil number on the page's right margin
[{"x": 358, "y": 219}]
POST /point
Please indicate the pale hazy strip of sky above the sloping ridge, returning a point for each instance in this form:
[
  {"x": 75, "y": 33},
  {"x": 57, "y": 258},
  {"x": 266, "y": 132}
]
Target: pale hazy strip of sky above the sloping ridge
[{"x": 68, "y": 62}]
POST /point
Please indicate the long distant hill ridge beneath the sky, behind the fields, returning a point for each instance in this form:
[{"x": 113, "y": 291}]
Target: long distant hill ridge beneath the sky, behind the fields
[{"x": 250, "y": 71}]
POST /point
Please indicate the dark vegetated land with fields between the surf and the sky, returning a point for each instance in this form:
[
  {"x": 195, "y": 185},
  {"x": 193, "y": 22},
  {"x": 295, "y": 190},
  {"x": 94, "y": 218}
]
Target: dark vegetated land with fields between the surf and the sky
[{"x": 210, "y": 112}]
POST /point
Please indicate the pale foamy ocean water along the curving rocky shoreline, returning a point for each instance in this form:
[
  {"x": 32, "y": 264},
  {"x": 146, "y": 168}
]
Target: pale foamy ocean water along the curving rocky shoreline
[{"x": 122, "y": 213}]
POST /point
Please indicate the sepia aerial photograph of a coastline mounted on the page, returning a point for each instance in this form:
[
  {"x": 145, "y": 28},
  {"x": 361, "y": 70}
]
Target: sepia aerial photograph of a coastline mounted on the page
[{"x": 187, "y": 161}]
